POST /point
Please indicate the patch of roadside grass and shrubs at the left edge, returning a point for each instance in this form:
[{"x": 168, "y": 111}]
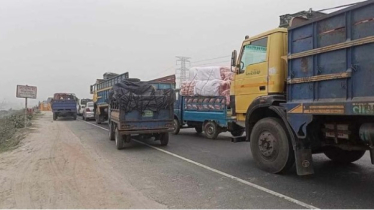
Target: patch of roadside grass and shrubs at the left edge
[{"x": 12, "y": 129}]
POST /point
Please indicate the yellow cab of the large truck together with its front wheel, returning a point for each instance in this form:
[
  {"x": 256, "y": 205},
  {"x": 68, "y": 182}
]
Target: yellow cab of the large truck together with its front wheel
[{"x": 257, "y": 91}]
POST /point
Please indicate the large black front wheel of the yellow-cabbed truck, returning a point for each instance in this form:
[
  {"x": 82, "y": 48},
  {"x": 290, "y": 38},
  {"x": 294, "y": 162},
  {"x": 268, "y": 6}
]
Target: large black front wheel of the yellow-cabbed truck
[{"x": 270, "y": 146}]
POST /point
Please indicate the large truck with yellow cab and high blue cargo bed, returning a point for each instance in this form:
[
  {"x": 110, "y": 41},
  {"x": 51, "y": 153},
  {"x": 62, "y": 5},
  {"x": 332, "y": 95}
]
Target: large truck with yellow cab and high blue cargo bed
[{"x": 308, "y": 89}]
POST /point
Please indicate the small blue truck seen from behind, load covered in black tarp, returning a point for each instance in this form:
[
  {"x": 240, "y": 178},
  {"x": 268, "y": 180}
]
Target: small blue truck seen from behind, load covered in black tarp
[{"x": 138, "y": 108}]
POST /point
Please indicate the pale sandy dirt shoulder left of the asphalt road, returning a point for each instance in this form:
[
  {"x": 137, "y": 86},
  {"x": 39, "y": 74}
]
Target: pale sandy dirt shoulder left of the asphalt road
[{"x": 52, "y": 169}]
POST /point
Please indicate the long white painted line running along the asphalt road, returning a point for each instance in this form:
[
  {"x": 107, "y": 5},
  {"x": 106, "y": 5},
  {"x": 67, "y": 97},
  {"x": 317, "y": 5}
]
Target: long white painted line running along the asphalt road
[{"x": 285, "y": 197}]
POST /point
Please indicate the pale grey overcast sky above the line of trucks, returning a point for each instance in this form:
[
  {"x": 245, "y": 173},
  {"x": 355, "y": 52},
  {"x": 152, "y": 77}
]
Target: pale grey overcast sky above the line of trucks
[{"x": 64, "y": 45}]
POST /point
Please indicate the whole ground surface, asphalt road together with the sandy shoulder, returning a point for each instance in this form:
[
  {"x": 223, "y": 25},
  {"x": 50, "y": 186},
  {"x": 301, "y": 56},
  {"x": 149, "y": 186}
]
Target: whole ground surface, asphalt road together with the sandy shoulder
[{"x": 73, "y": 164}]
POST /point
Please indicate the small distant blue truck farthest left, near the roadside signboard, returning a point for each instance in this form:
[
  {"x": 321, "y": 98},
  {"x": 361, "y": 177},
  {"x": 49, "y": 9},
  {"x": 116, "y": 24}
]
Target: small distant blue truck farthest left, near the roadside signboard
[{"x": 64, "y": 105}]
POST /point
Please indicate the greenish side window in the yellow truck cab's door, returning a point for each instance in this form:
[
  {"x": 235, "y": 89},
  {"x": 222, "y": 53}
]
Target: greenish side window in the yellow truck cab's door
[{"x": 253, "y": 53}]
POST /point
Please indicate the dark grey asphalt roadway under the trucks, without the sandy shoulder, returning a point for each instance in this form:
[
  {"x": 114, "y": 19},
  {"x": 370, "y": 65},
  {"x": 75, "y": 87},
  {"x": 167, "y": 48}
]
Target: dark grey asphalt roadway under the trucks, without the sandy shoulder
[{"x": 215, "y": 177}]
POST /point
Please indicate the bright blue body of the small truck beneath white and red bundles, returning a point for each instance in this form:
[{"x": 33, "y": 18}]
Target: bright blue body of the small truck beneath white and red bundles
[{"x": 208, "y": 114}]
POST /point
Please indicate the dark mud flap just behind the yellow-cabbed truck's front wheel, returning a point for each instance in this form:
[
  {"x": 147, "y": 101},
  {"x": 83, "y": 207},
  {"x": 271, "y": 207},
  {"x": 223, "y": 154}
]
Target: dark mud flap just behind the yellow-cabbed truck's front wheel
[{"x": 304, "y": 161}]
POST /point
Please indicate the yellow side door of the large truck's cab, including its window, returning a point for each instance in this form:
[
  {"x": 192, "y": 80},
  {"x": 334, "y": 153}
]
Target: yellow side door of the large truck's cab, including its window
[{"x": 251, "y": 80}]
